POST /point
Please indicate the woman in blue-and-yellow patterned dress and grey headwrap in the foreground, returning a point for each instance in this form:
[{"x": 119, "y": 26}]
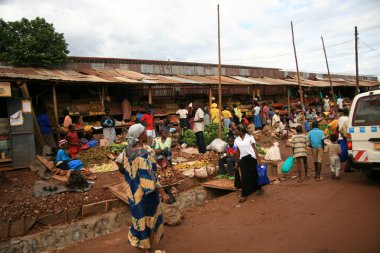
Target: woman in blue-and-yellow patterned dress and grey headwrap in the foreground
[{"x": 139, "y": 170}]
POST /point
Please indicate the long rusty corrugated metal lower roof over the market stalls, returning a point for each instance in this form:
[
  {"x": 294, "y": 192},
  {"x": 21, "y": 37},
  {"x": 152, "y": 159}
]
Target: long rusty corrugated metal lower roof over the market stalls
[{"x": 122, "y": 76}]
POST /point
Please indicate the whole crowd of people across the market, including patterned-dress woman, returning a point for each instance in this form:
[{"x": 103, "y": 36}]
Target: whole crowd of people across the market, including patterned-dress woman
[{"x": 238, "y": 162}]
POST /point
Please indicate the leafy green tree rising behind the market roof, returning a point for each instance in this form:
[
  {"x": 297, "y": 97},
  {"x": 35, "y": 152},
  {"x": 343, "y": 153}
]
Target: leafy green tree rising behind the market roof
[{"x": 31, "y": 43}]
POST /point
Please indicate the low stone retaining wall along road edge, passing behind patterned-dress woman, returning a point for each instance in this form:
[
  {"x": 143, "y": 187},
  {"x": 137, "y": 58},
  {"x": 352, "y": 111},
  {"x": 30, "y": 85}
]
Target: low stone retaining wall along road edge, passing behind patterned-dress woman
[{"x": 88, "y": 228}]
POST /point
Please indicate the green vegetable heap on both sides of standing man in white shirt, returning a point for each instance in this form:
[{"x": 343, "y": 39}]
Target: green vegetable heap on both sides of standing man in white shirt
[{"x": 211, "y": 133}]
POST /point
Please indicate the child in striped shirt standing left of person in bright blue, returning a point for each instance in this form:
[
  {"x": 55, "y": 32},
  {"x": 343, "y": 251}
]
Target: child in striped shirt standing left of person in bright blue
[{"x": 299, "y": 143}]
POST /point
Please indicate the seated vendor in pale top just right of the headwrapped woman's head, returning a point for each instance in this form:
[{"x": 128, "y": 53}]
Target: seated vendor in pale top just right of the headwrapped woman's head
[{"x": 163, "y": 148}]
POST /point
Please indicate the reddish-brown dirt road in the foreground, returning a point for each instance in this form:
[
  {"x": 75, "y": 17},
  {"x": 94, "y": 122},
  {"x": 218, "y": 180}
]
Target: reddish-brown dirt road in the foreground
[{"x": 317, "y": 217}]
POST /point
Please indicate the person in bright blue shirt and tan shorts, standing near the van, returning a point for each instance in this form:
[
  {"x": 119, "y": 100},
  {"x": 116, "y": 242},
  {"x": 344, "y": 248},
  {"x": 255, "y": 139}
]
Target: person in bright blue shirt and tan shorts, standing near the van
[{"x": 316, "y": 137}]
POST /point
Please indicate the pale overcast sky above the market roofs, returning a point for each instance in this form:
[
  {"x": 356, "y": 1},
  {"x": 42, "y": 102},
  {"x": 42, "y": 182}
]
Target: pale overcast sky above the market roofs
[{"x": 253, "y": 33}]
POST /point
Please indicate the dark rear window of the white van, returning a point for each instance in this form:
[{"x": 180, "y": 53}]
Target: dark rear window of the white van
[{"x": 367, "y": 111}]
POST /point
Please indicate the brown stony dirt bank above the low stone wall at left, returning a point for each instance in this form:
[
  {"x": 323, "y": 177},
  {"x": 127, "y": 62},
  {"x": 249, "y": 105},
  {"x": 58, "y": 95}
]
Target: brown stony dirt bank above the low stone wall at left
[{"x": 17, "y": 200}]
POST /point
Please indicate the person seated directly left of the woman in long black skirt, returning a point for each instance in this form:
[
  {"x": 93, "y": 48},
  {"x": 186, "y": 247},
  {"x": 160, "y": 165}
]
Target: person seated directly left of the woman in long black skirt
[{"x": 229, "y": 158}]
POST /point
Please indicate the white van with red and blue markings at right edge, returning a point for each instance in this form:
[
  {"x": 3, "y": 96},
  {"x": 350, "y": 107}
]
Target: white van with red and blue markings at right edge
[{"x": 363, "y": 132}]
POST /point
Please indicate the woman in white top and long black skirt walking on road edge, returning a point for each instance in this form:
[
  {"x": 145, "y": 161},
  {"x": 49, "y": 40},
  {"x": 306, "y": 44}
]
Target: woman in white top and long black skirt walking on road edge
[{"x": 247, "y": 154}]
